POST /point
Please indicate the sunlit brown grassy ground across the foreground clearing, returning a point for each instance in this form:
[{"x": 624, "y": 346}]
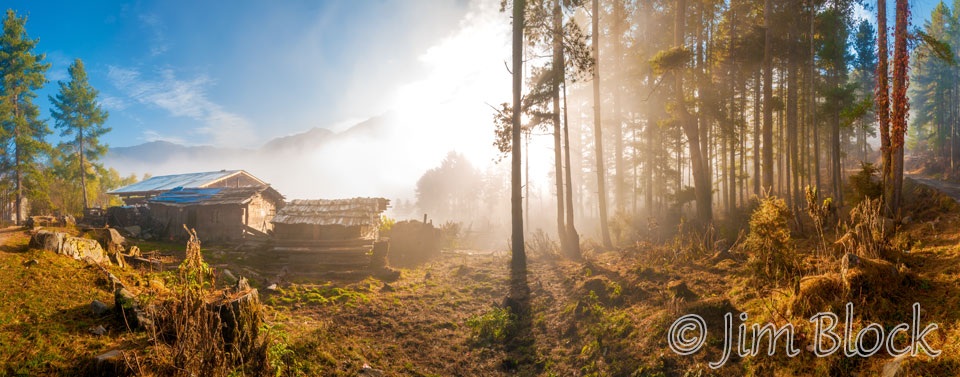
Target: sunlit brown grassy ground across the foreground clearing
[{"x": 607, "y": 315}]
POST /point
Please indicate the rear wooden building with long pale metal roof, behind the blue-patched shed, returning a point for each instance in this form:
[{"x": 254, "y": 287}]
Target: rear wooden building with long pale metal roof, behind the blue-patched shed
[{"x": 141, "y": 192}]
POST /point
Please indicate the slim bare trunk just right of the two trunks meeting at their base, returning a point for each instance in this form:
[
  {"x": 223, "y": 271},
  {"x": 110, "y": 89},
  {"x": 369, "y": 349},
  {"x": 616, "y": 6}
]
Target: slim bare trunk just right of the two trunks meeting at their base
[{"x": 597, "y": 126}]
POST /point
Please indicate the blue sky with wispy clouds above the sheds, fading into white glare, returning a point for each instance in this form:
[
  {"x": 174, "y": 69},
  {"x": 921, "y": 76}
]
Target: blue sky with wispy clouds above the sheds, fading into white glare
[{"x": 237, "y": 72}]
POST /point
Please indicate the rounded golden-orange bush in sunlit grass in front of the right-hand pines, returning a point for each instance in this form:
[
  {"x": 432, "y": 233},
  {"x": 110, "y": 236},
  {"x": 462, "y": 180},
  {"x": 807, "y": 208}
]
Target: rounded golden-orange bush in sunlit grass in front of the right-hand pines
[{"x": 771, "y": 253}]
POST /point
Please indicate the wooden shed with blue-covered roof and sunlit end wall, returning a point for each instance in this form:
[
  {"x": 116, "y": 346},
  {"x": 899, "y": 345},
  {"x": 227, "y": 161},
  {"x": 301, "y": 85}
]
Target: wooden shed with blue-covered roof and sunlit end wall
[{"x": 218, "y": 214}]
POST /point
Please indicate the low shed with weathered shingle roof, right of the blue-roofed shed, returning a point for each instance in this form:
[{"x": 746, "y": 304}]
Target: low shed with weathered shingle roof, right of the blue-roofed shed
[{"x": 323, "y": 219}]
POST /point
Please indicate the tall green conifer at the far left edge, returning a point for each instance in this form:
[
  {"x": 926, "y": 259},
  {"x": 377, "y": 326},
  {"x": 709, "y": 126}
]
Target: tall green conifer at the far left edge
[{"x": 22, "y": 72}]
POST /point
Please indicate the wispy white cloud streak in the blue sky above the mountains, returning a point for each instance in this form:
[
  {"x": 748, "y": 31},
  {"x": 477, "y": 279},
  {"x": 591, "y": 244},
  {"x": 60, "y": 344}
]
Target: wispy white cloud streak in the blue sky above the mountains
[{"x": 185, "y": 98}]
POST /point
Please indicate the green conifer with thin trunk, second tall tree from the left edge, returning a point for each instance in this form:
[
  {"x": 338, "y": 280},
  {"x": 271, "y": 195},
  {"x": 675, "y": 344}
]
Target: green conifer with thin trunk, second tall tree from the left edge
[{"x": 77, "y": 114}]
